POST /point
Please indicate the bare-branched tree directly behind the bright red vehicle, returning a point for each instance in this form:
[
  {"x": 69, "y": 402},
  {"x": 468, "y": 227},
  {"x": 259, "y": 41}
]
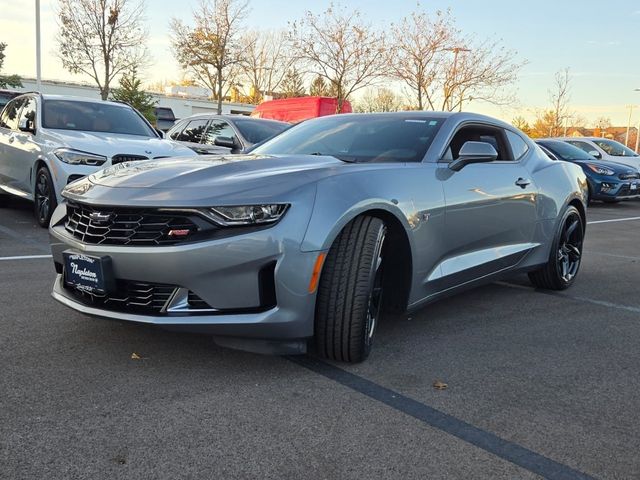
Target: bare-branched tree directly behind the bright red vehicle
[{"x": 338, "y": 47}]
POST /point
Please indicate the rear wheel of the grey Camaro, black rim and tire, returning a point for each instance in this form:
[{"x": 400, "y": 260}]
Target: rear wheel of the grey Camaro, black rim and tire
[{"x": 561, "y": 269}]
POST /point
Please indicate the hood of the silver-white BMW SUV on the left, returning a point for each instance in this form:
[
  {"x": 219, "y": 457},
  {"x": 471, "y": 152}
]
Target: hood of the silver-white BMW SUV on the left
[{"x": 110, "y": 144}]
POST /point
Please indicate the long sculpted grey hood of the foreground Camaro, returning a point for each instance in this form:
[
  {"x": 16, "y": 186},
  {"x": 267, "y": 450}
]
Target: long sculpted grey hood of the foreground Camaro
[{"x": 190, "y": 181}]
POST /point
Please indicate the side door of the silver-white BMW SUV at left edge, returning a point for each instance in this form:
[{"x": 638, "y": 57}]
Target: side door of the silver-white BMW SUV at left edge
[{"x": 8, "y": 152}]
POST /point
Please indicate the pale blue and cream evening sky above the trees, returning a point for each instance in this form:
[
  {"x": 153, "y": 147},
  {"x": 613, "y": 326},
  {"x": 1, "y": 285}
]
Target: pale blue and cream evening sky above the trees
[{"x": 598, "y": 41}]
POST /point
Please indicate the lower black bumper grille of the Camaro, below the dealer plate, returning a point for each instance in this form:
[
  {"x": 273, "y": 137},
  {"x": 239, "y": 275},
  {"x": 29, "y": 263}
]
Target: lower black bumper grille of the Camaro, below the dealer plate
[{"x": 130, "y": 297}]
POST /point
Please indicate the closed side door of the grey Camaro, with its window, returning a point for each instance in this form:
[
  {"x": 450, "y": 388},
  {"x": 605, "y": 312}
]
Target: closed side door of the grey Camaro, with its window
[{"x": 490, "y": 208}]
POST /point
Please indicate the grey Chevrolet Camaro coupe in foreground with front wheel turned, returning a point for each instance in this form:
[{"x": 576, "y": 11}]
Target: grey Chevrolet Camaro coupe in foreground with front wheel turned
[{"x": 312, "y": 236}]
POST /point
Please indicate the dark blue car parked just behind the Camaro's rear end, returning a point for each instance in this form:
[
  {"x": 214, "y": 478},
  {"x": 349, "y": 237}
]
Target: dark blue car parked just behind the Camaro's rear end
[{"x": 608, "y": 181}]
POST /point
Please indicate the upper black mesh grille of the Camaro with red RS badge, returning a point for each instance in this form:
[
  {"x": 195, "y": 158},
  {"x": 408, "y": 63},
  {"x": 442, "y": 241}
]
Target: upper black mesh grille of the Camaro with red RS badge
[{"x": 129, "y": 226}]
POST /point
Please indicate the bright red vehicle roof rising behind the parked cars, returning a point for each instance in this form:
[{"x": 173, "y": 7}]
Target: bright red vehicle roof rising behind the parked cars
[{"x": 297, "y": 109}]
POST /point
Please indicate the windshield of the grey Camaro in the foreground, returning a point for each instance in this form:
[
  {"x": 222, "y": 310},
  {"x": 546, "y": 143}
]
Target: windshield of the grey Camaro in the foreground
[{"x": 359, "y": 138}]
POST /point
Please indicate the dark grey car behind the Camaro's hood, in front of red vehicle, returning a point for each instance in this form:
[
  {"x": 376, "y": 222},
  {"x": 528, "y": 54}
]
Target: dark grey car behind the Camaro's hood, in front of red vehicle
[{"x": 222, "y": 134}]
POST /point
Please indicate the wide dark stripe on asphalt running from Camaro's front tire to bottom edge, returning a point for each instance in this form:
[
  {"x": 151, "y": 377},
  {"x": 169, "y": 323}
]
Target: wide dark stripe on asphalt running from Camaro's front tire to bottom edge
[{"x": 487, "y": 441}]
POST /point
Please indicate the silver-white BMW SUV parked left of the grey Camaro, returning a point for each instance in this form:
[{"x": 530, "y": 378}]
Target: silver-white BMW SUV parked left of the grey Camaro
[{"x": 47, "y": 141}]
